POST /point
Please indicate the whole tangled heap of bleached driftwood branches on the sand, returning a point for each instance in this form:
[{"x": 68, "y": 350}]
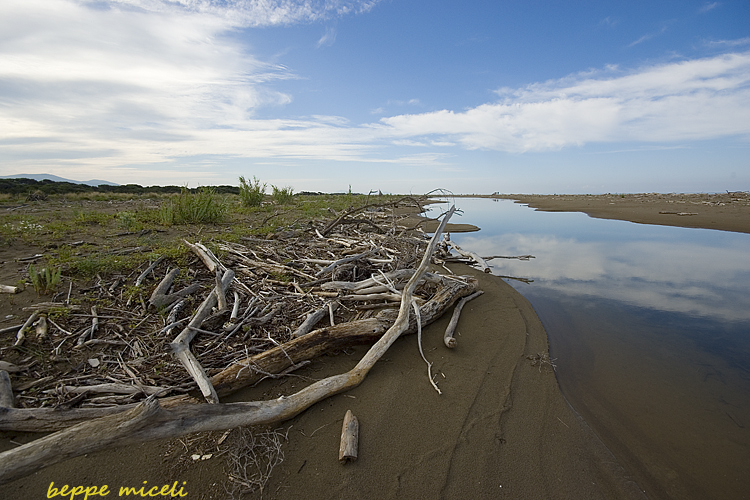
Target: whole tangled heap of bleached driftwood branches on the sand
[{"x": 238, "y": 313}]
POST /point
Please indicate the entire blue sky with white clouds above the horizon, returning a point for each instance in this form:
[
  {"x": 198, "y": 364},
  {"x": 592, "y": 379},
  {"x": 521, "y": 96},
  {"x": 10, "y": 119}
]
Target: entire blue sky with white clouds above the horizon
[{"x": 402, "y": 96}]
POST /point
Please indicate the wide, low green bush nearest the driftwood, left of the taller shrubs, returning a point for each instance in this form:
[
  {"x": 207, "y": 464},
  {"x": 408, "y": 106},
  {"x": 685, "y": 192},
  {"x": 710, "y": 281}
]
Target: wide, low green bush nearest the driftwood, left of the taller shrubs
[{"x": 201, "y": 207}]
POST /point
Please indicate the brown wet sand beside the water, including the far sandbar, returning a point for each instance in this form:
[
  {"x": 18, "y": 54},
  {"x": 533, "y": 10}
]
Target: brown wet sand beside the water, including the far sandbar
[{"x": 500, "y": 429}]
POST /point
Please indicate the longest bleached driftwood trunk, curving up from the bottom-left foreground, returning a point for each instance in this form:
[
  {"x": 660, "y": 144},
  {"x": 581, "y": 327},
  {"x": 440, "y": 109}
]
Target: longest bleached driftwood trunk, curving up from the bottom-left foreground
[{"x": 149, "y": 420}]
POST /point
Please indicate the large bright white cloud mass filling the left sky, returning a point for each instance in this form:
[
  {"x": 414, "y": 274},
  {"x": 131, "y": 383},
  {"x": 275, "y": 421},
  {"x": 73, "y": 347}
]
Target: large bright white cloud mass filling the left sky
[{"x": 143, "y": 81}]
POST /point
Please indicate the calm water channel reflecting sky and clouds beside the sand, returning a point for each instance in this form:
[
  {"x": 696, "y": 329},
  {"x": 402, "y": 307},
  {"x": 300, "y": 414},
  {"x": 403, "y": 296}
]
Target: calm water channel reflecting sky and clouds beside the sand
[{"x": 650, "y": 326}]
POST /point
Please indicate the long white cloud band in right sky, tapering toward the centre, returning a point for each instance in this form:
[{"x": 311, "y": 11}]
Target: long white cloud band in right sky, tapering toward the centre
[{"x": 690, "y": 100}]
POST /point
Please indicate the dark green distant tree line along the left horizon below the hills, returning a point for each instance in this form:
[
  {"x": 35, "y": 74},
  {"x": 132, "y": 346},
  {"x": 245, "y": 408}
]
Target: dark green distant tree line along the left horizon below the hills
[{"x": 24, "y": 187}]
